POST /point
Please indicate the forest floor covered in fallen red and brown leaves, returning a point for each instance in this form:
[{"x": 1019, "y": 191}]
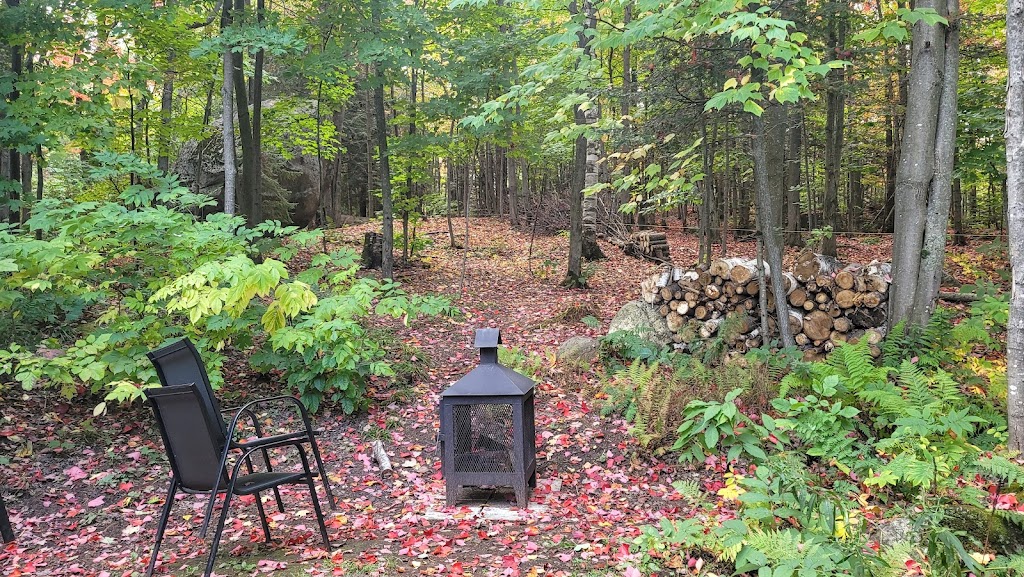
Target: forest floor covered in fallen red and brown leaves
[{"x": 84, "y": 492}]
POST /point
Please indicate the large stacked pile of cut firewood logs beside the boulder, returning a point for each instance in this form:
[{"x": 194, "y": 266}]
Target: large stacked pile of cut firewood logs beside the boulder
[{"x": 827, "y": 303}]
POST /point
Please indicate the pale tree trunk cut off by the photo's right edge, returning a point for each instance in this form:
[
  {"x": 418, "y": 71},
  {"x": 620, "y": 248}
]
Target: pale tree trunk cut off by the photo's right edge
[{"x": 1015, "y": 190}]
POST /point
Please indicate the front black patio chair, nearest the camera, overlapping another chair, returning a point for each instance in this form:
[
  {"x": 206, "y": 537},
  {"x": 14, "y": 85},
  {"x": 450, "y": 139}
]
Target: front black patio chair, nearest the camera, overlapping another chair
[{"x": 197, "y": 448}]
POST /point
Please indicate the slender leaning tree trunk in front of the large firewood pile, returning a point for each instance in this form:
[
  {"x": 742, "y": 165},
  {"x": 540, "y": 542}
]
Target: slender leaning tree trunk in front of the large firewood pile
[{"x": 772, "y": 235}]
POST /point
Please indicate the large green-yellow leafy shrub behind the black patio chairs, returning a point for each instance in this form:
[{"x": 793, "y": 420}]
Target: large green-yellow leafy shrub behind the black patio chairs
[{"x": 145, "y": 272}]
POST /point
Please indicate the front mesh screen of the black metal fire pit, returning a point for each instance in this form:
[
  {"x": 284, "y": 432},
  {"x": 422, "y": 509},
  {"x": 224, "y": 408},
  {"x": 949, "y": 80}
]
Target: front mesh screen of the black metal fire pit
[{"x": 483, "y": 438}]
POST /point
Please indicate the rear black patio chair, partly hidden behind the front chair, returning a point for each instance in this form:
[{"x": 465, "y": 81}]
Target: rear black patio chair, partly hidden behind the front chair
[{"x": 180, "y": 363}]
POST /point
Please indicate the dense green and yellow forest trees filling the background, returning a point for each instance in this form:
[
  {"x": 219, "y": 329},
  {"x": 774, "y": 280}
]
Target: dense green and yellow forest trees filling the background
[{"x": 480, "y": 111}]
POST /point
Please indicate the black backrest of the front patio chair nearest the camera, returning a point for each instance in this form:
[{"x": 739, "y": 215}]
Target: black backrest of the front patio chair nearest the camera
[{"x": 192, "y": 439}]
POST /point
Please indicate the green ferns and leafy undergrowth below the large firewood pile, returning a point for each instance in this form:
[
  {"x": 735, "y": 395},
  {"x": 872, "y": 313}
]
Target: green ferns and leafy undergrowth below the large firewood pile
[{"x": 833, "y": 447}]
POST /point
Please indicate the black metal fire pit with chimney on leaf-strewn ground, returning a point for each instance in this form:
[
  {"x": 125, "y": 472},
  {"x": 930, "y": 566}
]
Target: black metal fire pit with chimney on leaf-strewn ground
[{"x": 488, "y": 434}]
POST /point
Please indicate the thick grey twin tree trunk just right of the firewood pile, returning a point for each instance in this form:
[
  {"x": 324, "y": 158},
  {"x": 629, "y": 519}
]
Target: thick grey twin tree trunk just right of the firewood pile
[{"x": 925, "y": 173}]
